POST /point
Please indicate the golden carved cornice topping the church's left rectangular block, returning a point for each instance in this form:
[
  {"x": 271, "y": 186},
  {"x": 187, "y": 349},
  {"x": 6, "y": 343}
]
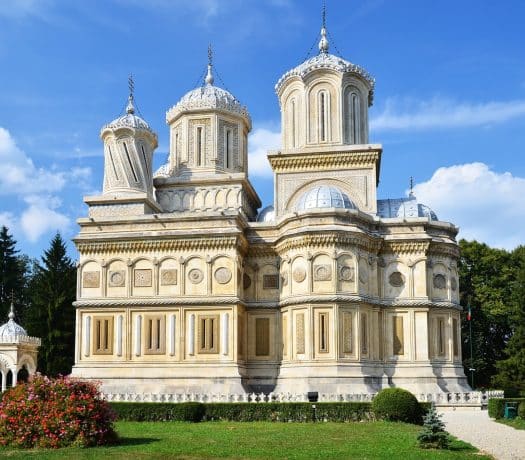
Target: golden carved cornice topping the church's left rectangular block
[{"x": 186, "y": 244}]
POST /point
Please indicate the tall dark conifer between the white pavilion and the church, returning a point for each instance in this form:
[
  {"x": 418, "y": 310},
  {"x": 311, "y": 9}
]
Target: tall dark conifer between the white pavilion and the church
[{"x": 51, "y": 315}]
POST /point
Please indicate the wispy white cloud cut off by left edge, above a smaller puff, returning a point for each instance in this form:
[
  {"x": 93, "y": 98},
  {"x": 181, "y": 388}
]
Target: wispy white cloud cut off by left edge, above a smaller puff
[{"x": 19, "y": 174}]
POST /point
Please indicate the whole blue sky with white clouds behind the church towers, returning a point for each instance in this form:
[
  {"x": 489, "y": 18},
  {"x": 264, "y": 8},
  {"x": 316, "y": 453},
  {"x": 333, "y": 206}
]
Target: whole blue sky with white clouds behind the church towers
[{"x": 449, "y": 104}]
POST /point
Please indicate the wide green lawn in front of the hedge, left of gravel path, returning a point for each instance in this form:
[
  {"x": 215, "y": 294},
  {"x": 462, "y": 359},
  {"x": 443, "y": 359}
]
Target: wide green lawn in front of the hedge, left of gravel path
[{"x": 258, "y": 440}]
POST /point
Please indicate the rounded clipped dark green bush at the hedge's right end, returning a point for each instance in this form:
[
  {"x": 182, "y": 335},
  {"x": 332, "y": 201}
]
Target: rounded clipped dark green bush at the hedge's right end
[{"x": 396, "y": 404}]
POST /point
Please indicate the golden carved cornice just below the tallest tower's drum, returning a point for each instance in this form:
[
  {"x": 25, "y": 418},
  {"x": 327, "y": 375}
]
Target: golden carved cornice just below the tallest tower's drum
[{"x": 319, "y": 161}]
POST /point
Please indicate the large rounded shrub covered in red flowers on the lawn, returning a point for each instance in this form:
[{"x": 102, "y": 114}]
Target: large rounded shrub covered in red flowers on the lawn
[{"x": 55, "y": 413}]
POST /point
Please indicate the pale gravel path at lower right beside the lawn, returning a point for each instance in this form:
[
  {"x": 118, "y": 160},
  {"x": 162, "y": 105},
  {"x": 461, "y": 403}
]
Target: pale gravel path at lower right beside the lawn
[{"x": 501, "y": 441}]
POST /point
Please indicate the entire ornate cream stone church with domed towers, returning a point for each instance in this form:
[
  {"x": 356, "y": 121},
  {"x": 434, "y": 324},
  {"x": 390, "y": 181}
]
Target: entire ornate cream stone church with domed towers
[{"x": 183, "y": 286}]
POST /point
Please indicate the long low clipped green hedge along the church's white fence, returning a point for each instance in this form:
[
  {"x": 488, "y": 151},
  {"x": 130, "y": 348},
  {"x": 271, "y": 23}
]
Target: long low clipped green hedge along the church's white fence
[{"x": 246, "y": 412}]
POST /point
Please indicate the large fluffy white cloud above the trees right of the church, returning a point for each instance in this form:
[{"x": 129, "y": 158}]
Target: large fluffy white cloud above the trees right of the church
[{"x": 487, "y": 206}]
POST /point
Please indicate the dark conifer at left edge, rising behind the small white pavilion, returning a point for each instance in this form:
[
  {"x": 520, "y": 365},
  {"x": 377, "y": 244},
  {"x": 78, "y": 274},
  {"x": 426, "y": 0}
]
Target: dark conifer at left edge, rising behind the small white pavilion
[{"x": 13, "y": 270}]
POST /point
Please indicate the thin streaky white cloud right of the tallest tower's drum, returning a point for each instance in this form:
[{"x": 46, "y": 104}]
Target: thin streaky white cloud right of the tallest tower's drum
[{"x": 400, "y": 114}]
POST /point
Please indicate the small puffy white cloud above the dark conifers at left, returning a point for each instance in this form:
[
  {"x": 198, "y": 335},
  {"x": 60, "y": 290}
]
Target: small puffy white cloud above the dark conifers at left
[{"x": 41, "y": 216}]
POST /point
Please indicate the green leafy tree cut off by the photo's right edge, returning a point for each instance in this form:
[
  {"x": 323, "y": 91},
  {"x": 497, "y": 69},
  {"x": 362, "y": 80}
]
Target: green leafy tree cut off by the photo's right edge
[{"x": 511, "y": 371}]
